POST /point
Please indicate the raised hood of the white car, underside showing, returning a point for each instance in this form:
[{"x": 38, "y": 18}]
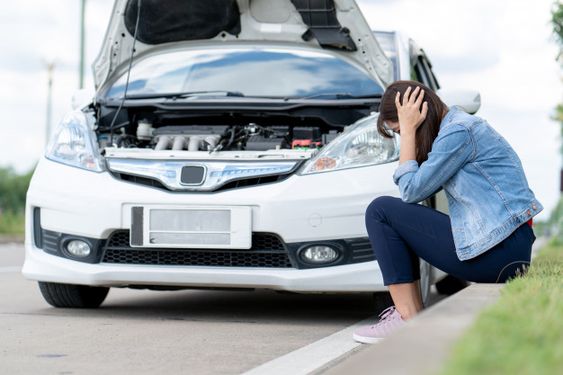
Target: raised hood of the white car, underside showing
[{"x": 338, "y": 25}]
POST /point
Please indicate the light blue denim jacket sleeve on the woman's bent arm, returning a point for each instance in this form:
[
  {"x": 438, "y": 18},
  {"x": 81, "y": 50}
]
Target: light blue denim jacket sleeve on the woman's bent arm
[{"x": 449, "y": 153}]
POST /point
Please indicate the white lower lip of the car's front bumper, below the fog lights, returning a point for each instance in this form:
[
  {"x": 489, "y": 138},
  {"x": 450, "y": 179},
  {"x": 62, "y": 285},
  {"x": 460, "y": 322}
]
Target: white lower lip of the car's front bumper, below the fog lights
[{"x": 350, "y": 278}]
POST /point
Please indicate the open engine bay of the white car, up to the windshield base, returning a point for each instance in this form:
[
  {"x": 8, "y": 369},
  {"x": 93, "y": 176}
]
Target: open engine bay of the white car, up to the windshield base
[{"x": 231, "y": 127}]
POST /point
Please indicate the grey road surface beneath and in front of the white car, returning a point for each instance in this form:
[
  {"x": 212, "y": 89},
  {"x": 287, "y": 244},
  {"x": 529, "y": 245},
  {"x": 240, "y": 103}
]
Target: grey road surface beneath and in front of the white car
[{"x": 148, "y": 332}]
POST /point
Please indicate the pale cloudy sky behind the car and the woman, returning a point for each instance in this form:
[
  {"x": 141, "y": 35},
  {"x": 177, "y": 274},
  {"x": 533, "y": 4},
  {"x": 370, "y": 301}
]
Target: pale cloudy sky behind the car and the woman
[{"x": 504, "y": 49}]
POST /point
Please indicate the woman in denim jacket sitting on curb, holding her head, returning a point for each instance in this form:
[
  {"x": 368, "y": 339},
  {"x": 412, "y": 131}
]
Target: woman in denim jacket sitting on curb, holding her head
[{"x": 487, "y": 237}]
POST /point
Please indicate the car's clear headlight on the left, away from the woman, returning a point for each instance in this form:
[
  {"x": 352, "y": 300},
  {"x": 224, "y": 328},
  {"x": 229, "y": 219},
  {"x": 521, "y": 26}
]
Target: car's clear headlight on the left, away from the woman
[{"x": 73, "y": 143}]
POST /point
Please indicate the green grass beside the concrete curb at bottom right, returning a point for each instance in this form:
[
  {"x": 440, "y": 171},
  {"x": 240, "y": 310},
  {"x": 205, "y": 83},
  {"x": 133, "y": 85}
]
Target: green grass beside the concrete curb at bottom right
[{"x": 523, "y": 332}]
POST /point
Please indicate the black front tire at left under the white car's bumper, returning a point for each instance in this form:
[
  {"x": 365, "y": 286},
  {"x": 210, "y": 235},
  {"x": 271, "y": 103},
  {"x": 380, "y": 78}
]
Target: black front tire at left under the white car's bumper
[{"x": 73, "y": 296}]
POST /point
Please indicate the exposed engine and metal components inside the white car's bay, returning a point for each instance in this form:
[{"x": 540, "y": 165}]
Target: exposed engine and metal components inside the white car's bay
[{"x": 150, "y": 135}]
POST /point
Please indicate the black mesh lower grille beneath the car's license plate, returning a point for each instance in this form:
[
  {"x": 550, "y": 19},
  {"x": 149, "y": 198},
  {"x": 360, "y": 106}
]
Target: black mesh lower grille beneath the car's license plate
[{"x": 267, "y": 250}]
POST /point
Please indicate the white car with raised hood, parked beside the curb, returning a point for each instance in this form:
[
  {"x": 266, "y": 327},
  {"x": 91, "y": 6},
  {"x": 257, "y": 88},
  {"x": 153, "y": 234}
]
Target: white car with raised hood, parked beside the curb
[{"x": 230, "y": 144}]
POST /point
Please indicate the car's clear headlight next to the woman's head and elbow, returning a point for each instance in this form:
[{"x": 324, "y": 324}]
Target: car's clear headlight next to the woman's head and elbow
[{"x": 359, "y": 145}]
